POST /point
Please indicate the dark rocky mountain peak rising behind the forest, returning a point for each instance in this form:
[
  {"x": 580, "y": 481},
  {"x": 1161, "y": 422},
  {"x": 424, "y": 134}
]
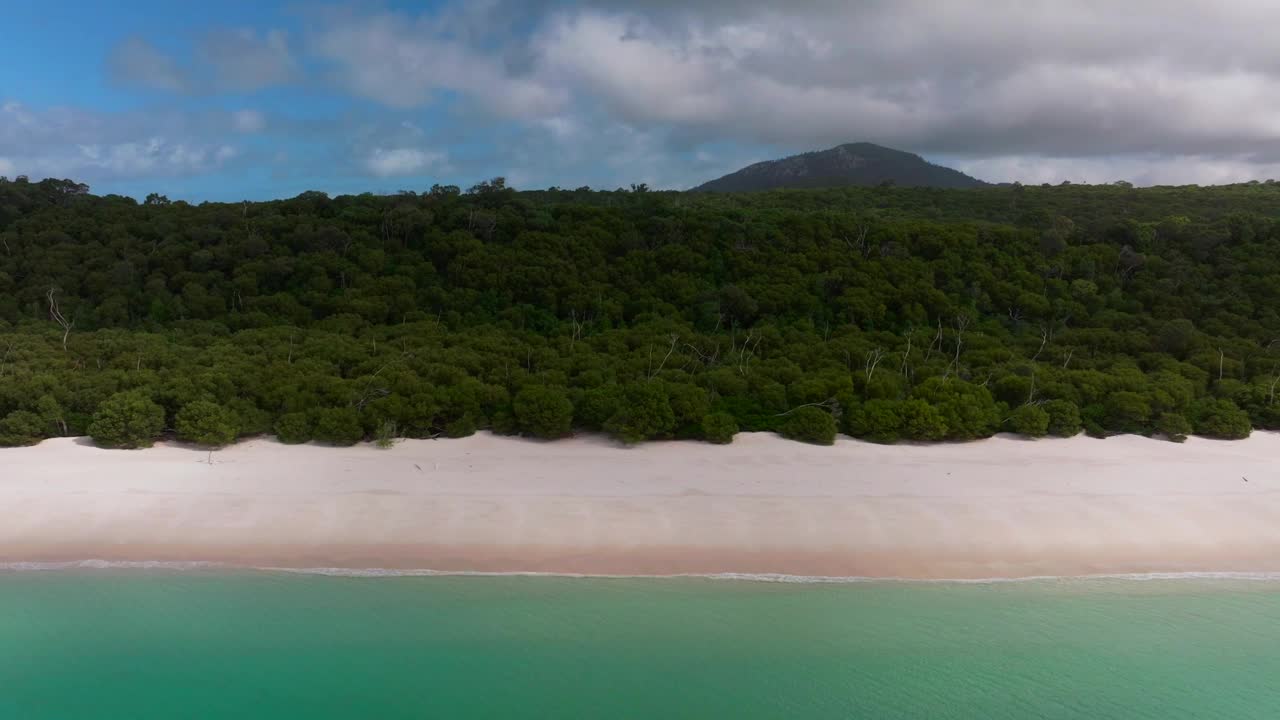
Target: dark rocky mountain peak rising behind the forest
[{"x": 856, "y": 163}]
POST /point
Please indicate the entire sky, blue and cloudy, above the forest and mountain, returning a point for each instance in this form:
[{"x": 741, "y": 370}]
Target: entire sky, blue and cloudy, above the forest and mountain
[{"x": 260, "y": 99}]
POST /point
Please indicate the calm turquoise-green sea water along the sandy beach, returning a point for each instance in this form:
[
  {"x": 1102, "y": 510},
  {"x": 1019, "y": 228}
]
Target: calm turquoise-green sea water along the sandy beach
[{"x": 139, "y": 645}]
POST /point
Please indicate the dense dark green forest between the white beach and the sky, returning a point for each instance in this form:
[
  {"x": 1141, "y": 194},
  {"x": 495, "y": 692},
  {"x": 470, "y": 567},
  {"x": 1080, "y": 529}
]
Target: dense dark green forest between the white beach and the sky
[{"x": 883, "y": 313}]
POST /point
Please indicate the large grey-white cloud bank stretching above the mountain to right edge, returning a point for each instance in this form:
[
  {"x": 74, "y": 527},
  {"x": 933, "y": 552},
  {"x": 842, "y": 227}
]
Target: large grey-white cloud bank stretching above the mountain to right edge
[{"x": 999, "y": 79}]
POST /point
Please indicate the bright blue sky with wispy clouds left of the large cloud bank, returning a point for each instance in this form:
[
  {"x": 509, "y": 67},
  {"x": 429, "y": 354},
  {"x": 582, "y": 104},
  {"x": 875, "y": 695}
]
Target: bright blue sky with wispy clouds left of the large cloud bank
[{"x": 232, "y": 101}]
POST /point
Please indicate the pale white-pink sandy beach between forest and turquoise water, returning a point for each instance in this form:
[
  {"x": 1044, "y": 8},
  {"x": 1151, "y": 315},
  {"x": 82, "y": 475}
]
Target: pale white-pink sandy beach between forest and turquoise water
[{"x": 996, "y": 508}]
